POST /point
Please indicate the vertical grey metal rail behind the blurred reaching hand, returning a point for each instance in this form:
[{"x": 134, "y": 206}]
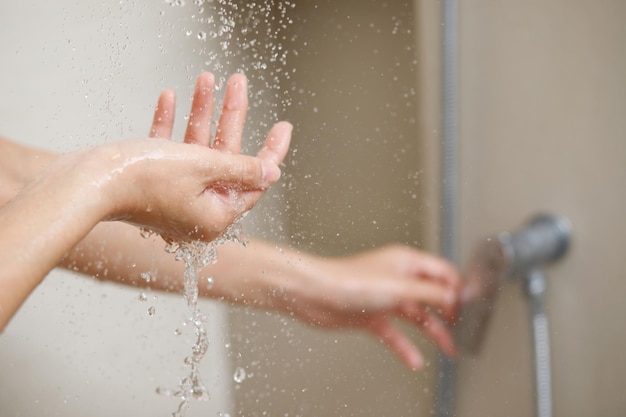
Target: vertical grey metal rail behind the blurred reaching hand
[{"x": 444, "y": 405}]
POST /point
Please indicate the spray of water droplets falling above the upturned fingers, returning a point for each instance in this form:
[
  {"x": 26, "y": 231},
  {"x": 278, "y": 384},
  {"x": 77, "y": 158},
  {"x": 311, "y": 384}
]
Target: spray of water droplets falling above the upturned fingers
[{"x": 250, "y": 37}]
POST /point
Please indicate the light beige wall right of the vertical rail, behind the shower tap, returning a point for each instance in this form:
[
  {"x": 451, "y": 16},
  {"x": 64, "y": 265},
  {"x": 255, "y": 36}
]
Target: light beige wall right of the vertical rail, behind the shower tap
[{"x": 543, "y": 95}]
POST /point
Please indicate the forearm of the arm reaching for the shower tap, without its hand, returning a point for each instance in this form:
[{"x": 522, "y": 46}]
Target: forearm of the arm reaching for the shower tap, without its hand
[{"x": 261, "y": 274}]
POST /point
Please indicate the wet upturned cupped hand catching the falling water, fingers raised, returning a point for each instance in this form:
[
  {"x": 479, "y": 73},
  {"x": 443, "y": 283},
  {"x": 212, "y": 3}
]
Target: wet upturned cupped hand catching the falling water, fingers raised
[{"x": 194, "y": 190}]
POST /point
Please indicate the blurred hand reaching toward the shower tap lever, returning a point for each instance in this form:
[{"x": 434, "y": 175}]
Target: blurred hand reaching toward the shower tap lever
[{"x": 371, "y": 289}]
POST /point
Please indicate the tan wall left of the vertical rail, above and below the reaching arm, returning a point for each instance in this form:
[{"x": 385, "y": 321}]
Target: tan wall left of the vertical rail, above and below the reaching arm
[{"x": 354, "y": 182}]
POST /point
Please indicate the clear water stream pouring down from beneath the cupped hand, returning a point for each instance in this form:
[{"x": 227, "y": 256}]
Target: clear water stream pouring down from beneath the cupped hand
[{"x": 197, "y": 255}]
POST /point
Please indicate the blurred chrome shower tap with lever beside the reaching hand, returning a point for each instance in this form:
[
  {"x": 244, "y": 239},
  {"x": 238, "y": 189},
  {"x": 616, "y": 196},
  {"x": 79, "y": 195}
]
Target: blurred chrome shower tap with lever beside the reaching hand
[{"x": 506, "y": 256}]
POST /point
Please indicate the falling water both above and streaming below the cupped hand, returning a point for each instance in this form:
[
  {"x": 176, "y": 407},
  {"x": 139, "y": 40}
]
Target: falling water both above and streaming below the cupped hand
[{"x": 229, "y": 36}]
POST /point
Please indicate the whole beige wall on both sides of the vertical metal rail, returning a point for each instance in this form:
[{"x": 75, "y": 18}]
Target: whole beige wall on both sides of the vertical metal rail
[{"x": 542, "y": 92}]
